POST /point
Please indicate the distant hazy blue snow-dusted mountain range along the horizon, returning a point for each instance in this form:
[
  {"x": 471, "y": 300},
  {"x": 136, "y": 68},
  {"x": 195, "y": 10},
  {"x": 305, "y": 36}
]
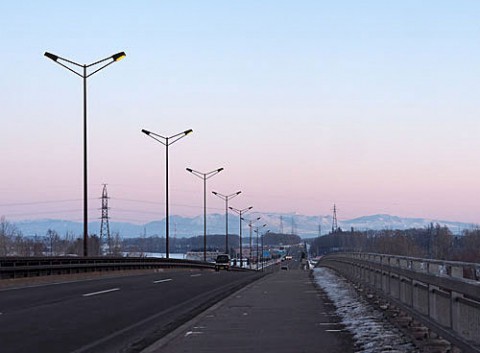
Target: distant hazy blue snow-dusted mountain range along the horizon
[{"x": 304, "y": 226}]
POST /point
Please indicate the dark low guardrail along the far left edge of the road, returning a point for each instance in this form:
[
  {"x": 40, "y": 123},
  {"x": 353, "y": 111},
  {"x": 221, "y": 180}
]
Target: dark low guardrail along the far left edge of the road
[{"x": 17, "y": 267}]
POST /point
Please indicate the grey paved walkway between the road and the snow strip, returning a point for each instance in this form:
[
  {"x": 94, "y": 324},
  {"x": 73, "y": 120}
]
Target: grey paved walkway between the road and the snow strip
[{"x": 282, "y": 312}]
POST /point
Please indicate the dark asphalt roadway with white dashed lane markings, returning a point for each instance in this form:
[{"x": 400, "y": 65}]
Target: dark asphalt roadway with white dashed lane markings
[{"x": 111, "y": 314}]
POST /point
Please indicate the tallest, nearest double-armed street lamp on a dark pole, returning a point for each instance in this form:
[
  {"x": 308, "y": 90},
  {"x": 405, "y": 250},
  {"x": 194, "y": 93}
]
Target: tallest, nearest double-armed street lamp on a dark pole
[{"x": 84, "y": 75}]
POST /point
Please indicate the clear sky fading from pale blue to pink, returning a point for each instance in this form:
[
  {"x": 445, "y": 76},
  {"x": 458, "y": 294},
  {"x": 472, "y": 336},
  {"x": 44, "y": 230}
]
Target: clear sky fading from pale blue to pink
[{"x": 369, "y": 105}]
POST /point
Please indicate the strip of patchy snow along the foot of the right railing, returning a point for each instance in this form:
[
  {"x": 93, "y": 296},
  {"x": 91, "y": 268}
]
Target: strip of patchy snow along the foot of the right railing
[{"x": 372, "y": 333}]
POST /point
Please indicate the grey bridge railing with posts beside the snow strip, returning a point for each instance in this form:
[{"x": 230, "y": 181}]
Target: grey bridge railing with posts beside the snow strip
[{"x": 443, "y": 295}]
